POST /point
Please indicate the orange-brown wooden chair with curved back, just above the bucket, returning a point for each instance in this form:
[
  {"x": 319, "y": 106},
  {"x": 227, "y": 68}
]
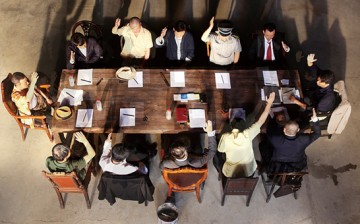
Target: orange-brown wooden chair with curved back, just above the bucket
[{"x": 185, "y": 179}]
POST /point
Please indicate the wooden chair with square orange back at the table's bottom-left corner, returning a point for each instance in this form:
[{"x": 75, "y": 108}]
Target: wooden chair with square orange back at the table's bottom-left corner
[{"x": 70, "y": 183}]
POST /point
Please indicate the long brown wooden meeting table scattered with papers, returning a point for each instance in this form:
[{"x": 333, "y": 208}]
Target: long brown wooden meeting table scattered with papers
[{"x": 155, "y": 97}]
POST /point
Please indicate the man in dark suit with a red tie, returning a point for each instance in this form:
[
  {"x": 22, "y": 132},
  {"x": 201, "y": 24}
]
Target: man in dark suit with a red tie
[{"x": 268, "y": 47}]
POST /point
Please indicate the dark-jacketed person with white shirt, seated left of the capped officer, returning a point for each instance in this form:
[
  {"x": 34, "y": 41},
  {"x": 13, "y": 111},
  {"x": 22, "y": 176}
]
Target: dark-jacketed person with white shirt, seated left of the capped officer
[{"x": 178, "y": 41}]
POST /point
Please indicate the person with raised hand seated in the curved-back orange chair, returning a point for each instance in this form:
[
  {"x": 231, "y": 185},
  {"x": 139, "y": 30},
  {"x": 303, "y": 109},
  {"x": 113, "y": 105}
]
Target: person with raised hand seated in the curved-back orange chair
[{"x": 180, "y": 156}]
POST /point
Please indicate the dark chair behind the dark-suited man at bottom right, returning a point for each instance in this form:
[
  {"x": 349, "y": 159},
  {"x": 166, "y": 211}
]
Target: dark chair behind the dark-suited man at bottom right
[{"x": 288, "y": 183}]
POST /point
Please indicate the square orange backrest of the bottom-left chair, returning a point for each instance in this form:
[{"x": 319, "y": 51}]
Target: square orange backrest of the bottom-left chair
[{"x": 65, "y": 182}]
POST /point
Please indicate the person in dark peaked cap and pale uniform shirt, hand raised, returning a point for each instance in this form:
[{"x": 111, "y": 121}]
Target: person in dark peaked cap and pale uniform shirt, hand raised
[{"x": 225, "y": 48}]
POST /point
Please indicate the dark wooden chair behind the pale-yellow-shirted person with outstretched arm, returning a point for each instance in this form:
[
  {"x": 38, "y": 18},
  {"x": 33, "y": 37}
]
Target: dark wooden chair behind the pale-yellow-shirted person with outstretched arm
[{"x": 238, "y": 186}]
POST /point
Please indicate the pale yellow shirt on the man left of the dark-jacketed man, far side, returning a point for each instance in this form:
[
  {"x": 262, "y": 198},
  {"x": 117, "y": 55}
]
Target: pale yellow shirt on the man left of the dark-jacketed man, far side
[{"x": 135, "y": 46}]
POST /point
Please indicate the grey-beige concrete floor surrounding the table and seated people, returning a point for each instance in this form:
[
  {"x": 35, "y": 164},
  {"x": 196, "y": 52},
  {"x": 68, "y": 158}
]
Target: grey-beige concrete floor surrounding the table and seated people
[{"x": 33, "y": 36}]
